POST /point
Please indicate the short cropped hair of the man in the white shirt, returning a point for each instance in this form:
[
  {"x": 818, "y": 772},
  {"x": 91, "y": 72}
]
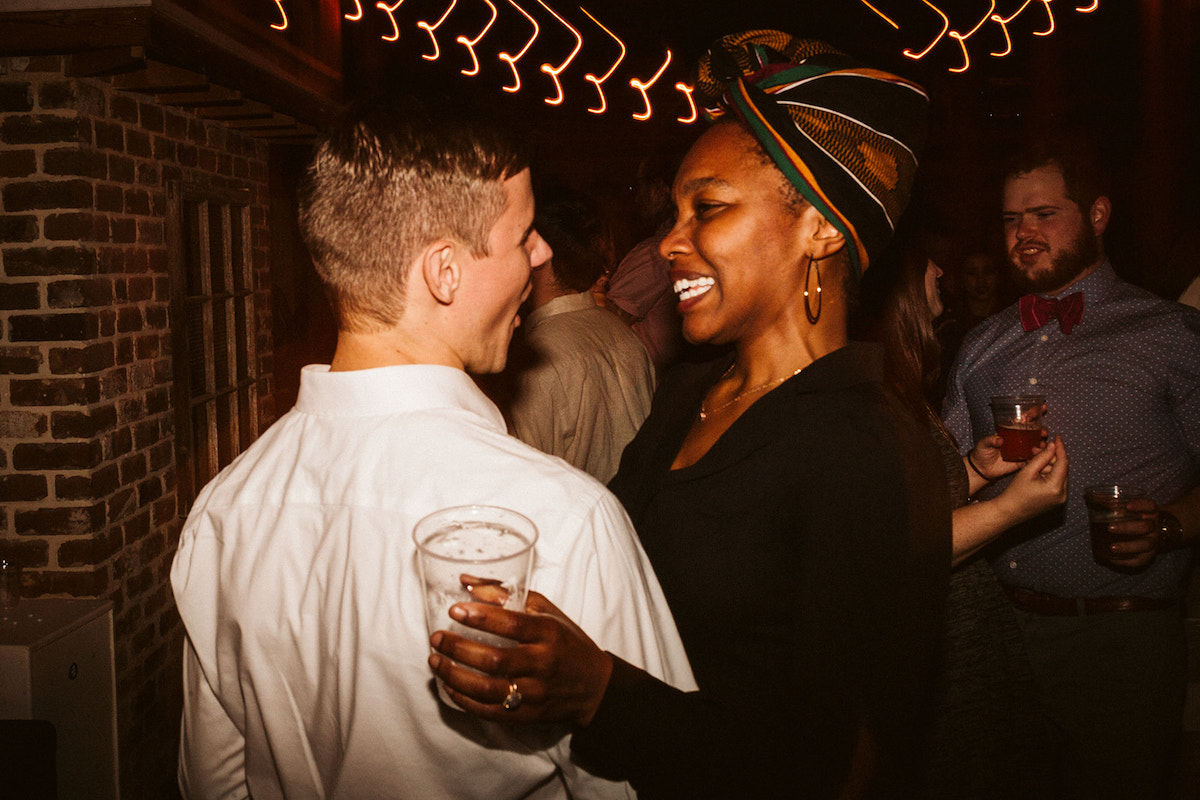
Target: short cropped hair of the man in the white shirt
[{"x": 388, "y": 182}]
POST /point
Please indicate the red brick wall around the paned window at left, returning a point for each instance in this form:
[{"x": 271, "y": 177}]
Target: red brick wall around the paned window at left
[{"x": 87, "y": 449}]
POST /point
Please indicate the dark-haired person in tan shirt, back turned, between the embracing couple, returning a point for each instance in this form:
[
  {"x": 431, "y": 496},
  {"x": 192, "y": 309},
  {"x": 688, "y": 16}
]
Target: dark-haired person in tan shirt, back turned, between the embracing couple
[{"x": 586, "y": 382}]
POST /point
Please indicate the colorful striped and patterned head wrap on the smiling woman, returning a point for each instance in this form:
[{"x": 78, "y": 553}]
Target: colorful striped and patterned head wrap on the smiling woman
[{"x": 845, "y": 135}]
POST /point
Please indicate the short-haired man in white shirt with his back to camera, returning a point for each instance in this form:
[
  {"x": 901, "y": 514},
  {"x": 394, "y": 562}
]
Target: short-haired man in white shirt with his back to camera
[{"x": 305, "y": 669}]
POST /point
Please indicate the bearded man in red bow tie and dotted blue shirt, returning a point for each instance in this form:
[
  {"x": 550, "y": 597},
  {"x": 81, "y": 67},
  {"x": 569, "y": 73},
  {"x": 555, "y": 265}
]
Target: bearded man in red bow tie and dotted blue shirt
[{"x": 1120, "y": 369}]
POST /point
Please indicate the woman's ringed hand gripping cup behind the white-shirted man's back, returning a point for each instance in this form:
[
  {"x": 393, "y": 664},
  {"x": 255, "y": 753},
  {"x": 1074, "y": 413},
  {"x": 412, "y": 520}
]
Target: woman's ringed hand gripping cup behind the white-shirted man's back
[{"x": 560, "y": 672}]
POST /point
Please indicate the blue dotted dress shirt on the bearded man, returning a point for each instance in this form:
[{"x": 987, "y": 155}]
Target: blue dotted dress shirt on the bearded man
[{"x": 1124, "y": 393}]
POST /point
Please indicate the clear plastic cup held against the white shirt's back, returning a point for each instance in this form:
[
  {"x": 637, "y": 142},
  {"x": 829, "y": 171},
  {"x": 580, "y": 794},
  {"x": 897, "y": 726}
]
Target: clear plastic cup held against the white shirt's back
[{"x": 473, "y": 555}]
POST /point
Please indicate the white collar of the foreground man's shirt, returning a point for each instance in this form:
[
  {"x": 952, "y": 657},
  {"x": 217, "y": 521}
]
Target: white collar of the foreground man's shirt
[{"x": 392, "y": 390}]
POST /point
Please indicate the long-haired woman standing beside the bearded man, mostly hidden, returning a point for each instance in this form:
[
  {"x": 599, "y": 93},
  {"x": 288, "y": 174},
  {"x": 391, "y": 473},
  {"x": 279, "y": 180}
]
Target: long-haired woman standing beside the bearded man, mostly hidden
[{"x": 985, "y": 742}]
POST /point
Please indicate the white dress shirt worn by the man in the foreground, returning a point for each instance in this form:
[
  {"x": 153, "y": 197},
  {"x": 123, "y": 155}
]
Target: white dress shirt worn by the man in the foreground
[{"x": 305, "y": 665}]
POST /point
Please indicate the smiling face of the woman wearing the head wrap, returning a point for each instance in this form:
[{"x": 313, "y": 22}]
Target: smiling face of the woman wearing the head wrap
[{"x": 736, "y": 251}]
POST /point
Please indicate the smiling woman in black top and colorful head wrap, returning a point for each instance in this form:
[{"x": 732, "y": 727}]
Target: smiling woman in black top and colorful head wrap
[{"x": 796, "y": 516}]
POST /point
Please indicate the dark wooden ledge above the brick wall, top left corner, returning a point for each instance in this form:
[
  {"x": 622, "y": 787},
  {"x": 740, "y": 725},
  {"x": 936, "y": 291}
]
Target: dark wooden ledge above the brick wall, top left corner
[{"x": 218, "y": 65}]
